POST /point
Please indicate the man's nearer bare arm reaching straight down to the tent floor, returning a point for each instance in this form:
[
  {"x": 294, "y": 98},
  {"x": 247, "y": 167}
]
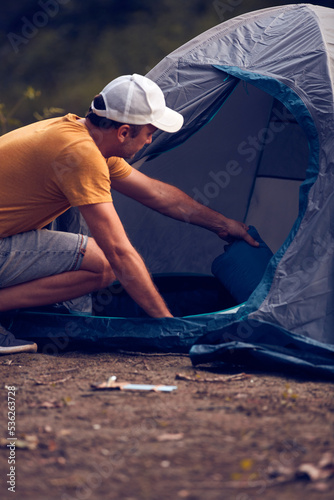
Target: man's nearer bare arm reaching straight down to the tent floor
[{"x": 127, "y": 264}]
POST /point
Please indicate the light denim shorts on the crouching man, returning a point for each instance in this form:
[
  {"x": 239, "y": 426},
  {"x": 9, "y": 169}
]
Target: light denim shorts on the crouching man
[{"x": 37, "y": 254}]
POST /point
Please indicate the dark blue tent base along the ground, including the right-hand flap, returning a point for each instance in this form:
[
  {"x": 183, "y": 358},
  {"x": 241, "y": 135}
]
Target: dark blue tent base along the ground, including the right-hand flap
[{"x": 232, "y": 339}]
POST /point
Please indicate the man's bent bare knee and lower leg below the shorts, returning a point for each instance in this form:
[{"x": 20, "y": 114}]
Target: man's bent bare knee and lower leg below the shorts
[{"x": 94, "y": 273}]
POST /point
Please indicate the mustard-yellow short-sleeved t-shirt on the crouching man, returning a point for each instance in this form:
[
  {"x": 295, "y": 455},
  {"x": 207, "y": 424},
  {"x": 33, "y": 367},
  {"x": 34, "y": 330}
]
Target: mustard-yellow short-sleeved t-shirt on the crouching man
[{"x": 49, "y": 166}]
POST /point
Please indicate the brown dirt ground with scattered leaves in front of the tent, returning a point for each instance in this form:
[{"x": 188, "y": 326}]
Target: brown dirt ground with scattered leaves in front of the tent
[{"x": 220, "y": 435}]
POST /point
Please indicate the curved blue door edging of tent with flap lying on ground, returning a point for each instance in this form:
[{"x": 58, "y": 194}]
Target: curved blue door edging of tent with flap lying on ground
[{"x": 240, "y": 340}]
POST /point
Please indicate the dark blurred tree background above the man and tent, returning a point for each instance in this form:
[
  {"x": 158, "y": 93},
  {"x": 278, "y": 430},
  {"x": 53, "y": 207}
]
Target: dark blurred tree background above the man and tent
[{"x": 57, "y": 54}]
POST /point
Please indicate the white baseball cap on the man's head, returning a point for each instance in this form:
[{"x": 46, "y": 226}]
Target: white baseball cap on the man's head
[{"x": 137, "y": 100}]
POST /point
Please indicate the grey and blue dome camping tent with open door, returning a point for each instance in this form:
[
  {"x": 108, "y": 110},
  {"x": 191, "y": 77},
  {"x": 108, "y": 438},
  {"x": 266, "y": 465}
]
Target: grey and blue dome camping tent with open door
[{"x": 257, "y": 145}]
